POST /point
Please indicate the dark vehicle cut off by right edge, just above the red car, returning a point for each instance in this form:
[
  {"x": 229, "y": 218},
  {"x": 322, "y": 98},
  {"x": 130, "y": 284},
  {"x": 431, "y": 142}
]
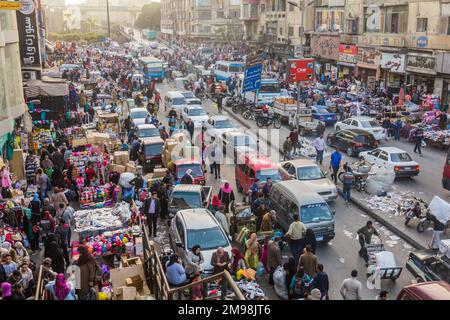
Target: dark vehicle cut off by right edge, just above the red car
[{"x": 426, "y": 265}]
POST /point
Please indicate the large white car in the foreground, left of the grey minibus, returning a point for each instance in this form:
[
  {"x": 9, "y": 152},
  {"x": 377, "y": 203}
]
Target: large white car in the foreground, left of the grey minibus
[{"x": 197, "y": 227}]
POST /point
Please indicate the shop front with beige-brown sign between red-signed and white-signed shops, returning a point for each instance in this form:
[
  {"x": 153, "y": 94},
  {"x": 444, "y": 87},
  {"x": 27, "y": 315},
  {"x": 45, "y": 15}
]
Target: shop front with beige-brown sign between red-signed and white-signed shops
[{"x": 368, "y": 63}]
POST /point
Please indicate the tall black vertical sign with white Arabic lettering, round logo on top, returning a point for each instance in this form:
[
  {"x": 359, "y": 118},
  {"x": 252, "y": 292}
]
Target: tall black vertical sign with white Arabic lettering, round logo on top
[{"x": 28, "y": 35}]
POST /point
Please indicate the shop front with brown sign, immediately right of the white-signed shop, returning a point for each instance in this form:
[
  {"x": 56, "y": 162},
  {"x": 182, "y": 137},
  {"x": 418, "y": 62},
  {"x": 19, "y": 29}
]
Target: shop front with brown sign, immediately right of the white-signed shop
[{"x": 421, "y": 71}]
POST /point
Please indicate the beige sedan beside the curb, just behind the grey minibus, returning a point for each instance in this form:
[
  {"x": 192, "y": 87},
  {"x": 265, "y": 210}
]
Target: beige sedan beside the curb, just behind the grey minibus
[{"x": 310, "y": 174}]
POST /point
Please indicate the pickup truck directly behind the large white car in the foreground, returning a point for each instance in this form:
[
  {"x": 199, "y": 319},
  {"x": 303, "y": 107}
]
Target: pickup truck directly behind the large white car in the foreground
[{"x": 189, "y": 196}]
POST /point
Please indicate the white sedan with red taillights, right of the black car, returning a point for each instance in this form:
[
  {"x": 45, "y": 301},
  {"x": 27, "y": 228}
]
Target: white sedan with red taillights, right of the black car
[{"x": 393, "y": 158}]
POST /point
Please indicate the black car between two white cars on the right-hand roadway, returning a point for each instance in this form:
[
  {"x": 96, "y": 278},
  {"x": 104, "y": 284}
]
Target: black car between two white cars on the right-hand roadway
[{"x": 352, "y": 141}]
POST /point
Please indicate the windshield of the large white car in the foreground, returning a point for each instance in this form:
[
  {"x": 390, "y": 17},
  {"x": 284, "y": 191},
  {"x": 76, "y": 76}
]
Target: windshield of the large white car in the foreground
[{"x": 207, "y": 239}]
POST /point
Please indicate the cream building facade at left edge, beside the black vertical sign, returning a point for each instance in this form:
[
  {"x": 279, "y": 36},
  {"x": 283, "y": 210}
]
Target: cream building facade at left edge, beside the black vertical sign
[{"x": 12, "y": 102}]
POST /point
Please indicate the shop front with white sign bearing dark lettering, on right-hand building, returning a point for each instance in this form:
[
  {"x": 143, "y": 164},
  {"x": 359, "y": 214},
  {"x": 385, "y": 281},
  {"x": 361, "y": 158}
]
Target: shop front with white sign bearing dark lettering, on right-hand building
[{"x": 393, "y": 75}]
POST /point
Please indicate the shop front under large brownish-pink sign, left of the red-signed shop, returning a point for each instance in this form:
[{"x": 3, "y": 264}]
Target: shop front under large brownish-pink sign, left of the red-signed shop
[{"x": 325, "y": 49}]
